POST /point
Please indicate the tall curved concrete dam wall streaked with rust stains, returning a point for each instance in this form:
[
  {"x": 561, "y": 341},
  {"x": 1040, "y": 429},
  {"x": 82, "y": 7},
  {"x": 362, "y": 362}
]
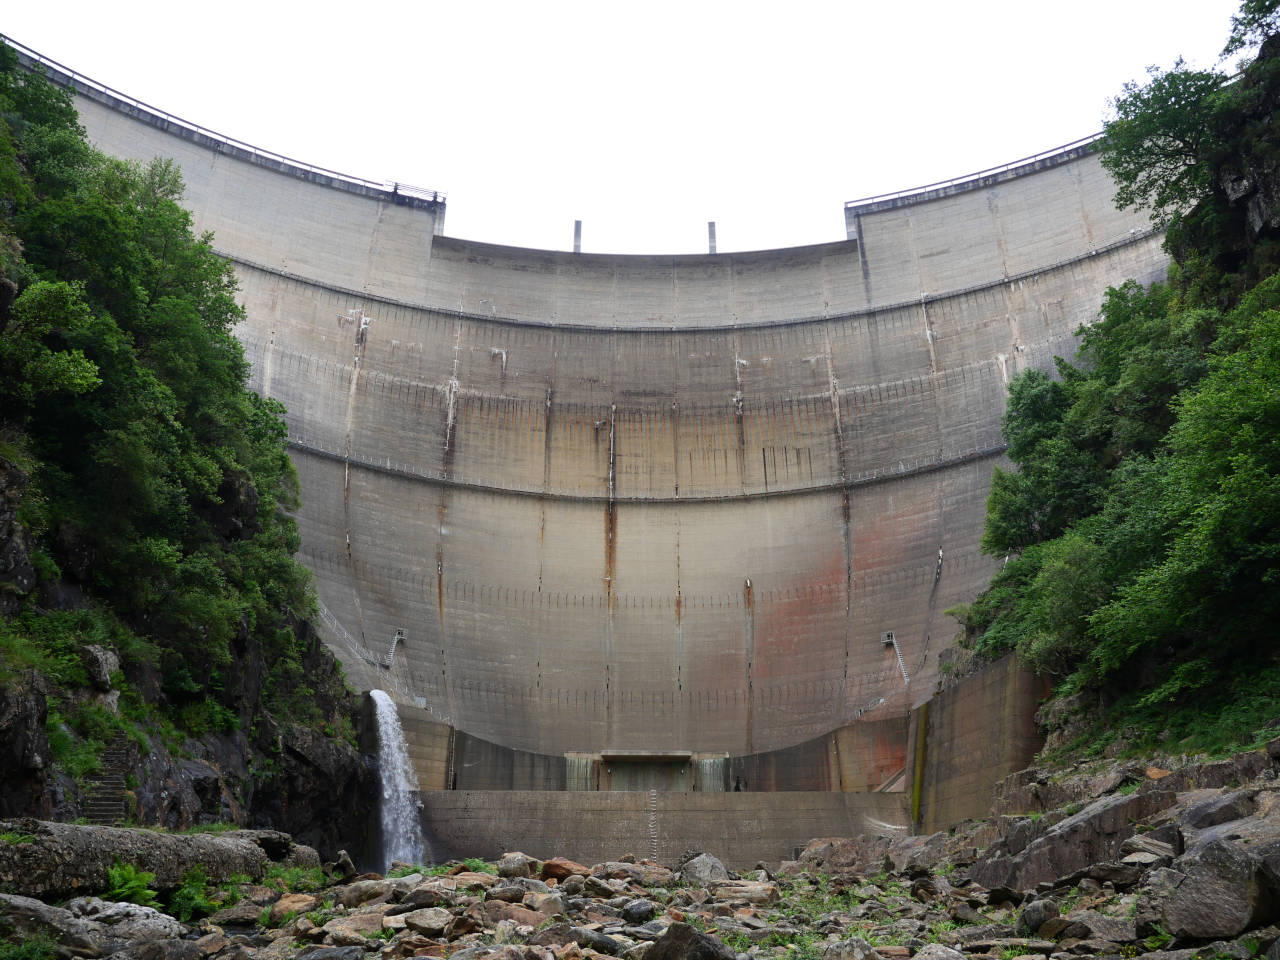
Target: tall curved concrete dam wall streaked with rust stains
[{"x": 643, "y": 506}]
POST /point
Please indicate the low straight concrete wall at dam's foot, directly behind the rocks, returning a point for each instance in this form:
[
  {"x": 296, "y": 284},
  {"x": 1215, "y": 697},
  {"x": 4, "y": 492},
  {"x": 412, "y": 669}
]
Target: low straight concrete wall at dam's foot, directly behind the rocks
[{"x": 588, "y": 828}]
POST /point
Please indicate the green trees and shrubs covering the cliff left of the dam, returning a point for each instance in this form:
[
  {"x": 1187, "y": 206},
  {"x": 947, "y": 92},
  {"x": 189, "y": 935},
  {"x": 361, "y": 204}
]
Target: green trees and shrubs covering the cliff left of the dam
[{"x": 154, "y": 523}]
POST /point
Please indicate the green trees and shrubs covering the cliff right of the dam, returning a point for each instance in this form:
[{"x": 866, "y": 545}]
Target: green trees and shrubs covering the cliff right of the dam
[{"x": 1141, "y": 529}]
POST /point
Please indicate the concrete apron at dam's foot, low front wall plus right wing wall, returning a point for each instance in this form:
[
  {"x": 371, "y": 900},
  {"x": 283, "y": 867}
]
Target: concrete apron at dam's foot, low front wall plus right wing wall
[{"x": 956, "y": 747}]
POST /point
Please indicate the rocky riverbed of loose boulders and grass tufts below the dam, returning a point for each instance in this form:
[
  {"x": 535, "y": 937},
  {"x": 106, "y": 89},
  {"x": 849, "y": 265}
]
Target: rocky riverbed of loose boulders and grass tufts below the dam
[{"x": 1126, "y": 861}]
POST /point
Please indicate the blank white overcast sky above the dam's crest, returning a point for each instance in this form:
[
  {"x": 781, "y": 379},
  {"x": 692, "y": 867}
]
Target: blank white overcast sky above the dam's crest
[{"x": 646, "y": 121}]
